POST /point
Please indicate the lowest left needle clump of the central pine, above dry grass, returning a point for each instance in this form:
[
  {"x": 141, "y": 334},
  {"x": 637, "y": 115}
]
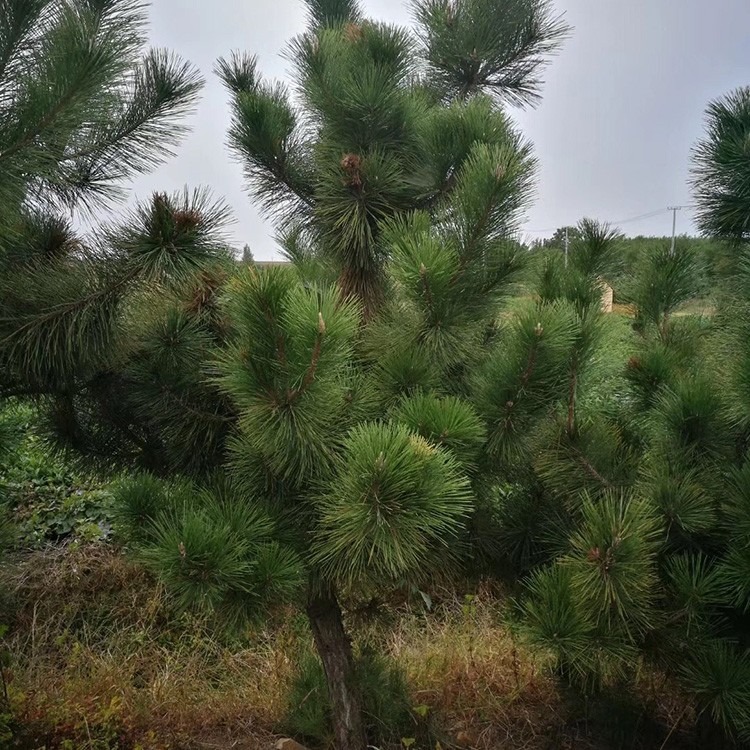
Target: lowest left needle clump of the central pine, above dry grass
[{"x": 215, "y": 554}]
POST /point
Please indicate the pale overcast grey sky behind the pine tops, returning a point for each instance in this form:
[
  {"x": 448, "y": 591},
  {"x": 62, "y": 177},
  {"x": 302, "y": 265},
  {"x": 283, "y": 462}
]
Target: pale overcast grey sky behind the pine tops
[{"x": 623, "y": 103}]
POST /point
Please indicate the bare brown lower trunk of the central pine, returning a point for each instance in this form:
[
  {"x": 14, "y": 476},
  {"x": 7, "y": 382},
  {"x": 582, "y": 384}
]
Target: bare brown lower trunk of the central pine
[{"x": 335, "y": 651}]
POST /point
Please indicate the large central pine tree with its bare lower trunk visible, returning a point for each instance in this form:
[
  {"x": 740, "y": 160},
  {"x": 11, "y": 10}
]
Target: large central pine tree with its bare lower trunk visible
[{"x": 315, "y": 430}]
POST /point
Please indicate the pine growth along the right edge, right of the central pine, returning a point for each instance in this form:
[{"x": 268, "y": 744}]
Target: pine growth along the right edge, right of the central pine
[{"x": 650, "y": 563}]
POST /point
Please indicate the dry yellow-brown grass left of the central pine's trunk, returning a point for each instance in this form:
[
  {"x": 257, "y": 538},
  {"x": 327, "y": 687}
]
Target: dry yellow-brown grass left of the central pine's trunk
[{"x": 98, "y": 656}]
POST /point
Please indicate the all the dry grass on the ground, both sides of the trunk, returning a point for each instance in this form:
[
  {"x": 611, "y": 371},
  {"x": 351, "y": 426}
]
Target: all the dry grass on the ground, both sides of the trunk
[{"x": 98, "y": 659}]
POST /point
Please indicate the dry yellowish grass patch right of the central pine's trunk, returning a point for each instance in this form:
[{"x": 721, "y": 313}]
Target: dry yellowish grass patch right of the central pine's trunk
[{"x": 466, "y": 666}]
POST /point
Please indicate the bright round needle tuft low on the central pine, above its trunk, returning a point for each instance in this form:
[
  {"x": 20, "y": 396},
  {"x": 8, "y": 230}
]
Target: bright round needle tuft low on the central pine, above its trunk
[{"x": 395, "y": 509}]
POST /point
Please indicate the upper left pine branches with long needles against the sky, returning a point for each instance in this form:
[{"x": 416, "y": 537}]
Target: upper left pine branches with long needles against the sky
[{"x": 84, "y": 105}]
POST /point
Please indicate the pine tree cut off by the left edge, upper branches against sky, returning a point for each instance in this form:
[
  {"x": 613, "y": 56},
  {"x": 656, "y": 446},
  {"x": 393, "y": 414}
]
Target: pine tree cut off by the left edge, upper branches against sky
[{"x": 82, "y": 108}]
